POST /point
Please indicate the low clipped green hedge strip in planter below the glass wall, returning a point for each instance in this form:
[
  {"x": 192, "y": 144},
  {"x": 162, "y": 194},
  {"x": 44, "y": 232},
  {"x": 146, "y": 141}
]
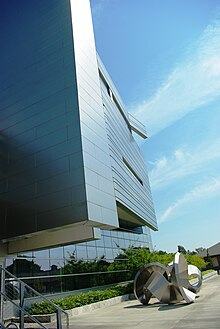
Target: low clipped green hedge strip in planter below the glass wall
[{"x": 70, "y": 302}]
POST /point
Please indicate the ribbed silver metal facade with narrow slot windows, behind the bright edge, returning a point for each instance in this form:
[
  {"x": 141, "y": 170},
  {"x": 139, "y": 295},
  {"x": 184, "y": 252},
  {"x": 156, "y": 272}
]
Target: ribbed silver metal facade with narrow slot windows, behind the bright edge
[{"x": 131, "y": 184}]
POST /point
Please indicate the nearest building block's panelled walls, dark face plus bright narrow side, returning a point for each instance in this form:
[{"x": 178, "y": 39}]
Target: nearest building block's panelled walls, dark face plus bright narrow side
[{"x": 45, "y": 128}]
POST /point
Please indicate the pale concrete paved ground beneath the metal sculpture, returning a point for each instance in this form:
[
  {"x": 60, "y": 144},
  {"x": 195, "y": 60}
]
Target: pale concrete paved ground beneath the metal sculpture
[{"x": 204, "y": 313}]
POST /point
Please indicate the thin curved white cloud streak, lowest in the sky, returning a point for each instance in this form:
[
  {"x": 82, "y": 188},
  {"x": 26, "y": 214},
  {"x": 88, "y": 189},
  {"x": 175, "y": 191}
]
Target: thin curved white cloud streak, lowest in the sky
[{"x": 198, "y": 193}]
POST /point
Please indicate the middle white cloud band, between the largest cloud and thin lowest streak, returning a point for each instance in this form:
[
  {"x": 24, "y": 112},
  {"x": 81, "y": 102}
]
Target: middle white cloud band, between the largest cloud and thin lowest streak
[{"x": 182, "y": 163}]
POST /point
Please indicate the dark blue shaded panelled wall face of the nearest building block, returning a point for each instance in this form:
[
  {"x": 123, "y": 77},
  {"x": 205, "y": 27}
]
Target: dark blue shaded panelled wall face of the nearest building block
[{"x": 42, "y": 179}]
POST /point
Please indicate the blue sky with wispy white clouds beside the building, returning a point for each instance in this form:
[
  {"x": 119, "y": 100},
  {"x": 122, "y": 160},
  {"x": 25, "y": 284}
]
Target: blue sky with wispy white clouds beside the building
[{"x": 164, "y": 58}]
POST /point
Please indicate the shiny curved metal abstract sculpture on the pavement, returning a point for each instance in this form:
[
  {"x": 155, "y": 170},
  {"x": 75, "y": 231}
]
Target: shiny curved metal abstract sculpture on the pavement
[{"x": 168, "y": 284}]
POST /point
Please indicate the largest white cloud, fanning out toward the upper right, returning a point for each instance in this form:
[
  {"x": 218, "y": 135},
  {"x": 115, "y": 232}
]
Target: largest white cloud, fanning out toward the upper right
[{"x": 192, "y": 84}]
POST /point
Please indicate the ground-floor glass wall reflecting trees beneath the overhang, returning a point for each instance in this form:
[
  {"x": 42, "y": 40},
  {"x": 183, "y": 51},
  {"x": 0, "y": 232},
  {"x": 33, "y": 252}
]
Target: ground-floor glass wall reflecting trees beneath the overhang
[{"x": 78, "y": 266}]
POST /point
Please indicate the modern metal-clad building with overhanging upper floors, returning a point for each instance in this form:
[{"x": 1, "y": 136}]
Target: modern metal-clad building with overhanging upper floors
[{"x": 72, "y": 175}]
